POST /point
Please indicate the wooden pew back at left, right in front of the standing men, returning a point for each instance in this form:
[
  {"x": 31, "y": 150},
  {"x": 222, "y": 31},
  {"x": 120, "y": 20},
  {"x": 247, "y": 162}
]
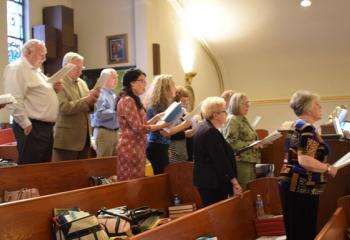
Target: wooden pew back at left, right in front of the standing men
[{"x": 55, "y": 177}]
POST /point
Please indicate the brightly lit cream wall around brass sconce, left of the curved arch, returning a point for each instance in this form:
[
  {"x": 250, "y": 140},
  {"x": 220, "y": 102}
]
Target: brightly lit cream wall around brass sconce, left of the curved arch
[{"x": 167, "y": 29}]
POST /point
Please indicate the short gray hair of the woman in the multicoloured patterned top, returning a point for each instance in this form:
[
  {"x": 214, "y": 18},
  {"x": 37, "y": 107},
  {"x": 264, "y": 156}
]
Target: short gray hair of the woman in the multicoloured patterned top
[{"x": 301, "y": 101}]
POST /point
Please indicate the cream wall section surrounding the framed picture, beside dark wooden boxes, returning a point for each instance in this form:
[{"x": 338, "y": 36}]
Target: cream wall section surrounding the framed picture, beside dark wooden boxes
[{"x": 94, "y": 20}]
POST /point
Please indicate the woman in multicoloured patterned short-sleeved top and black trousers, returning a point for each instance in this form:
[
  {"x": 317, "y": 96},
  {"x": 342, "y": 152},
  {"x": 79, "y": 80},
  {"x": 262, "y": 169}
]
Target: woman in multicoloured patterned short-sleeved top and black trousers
[{"x": 302, "y": 177}]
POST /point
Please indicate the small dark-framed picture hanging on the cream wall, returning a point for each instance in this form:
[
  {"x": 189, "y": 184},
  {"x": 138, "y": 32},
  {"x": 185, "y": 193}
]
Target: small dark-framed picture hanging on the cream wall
[{"x": 117, "y": 49}]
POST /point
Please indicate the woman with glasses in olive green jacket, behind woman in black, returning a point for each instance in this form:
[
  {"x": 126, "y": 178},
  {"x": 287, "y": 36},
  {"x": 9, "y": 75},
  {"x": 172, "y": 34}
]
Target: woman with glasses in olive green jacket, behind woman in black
[{"x": 239, "y": 133}]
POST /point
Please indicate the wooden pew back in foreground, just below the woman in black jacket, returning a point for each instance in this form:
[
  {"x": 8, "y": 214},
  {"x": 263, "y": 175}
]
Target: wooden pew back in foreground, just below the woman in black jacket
[{"x": 230, "y": 219}]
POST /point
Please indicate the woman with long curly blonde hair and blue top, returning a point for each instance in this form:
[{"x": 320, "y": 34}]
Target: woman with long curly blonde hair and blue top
[{"x": 158, "y": 98}]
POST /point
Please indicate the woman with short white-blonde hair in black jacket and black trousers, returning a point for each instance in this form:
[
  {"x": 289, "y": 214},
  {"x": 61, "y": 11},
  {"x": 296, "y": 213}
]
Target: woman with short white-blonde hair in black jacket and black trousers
[{"x": 214, "y": 170}]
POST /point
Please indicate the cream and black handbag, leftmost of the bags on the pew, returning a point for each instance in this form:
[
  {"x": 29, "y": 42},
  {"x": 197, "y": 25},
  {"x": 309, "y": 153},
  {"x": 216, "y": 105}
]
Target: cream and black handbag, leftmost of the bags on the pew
[{"x": 84, "y": 228}]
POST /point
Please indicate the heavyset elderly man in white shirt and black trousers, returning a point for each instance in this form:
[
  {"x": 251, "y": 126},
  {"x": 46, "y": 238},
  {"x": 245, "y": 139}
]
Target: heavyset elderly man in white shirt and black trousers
[{"x": 36, "y": 109}]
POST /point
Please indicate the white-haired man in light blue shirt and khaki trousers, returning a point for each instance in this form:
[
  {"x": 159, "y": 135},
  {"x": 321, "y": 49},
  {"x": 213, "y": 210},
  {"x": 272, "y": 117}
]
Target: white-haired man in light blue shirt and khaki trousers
[{"x": 104, "y": 120}]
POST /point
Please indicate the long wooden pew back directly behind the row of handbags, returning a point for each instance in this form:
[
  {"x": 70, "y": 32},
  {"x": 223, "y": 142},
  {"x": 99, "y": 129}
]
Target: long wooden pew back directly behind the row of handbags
[{"x": 32, "y": 218}]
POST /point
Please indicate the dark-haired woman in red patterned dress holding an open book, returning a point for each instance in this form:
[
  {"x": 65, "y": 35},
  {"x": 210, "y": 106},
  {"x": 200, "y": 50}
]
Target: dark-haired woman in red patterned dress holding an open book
[{"x": 133, "y": 126}]
